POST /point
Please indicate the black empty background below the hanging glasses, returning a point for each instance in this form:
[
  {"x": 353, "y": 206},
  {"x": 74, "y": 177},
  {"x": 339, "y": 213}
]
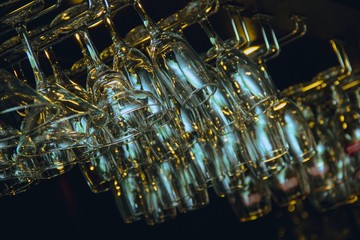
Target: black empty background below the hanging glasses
[{"x": 64, "y": 208}]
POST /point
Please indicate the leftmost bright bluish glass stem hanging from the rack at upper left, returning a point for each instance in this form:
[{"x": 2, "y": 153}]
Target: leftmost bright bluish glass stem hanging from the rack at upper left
[{"x": 40, "y": 78}]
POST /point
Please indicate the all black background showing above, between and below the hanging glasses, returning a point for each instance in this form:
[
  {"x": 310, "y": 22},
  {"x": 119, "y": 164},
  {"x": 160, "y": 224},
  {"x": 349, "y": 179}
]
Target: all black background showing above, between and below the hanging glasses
[{"x": 65, "y": 208}]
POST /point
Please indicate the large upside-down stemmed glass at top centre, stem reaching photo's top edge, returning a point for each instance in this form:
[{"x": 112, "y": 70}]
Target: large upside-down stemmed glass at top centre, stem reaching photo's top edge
[{"x": 177, "y": 64}]
